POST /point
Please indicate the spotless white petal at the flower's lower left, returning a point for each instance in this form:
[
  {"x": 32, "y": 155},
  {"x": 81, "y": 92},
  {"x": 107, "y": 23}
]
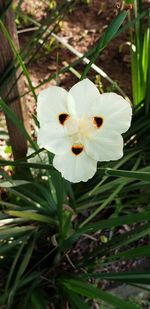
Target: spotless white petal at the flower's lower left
[{"x": 54, "y": 137}]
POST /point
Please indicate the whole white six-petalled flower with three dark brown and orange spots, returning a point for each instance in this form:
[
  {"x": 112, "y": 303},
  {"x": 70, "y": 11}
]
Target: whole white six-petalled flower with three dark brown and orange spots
[{"x": 82, "y": 127}]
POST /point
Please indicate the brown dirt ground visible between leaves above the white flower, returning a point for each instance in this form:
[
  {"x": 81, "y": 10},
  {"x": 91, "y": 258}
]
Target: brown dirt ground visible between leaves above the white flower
[{"x": 81, "y": 28}]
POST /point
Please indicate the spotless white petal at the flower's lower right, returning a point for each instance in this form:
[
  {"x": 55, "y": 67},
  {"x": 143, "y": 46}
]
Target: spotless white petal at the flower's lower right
[{"x": 105, "y": 146}]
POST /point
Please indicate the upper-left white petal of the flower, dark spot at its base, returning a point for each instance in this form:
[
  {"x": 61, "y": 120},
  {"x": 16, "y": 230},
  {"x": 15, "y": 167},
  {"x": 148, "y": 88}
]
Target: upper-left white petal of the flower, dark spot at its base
[{"x": 52, "y": 102}]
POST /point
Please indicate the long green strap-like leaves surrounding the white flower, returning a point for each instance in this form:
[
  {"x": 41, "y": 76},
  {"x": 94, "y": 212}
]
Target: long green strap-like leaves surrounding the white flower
[{"x": 57, "y": 239}]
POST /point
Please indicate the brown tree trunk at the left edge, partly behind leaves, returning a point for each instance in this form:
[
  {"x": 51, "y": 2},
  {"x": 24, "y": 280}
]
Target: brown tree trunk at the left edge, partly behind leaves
[{"x": 12, "y": 98}]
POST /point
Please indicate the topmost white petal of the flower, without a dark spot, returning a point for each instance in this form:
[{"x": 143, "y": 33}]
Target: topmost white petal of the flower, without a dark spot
[{"x": 84, "y": 93}]
